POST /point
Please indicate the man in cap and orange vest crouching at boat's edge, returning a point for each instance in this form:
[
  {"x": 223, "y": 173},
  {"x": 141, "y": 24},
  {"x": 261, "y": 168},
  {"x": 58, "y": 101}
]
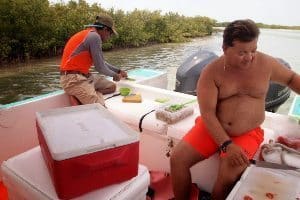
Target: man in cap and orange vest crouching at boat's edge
[{"x": 83, "y": 50}]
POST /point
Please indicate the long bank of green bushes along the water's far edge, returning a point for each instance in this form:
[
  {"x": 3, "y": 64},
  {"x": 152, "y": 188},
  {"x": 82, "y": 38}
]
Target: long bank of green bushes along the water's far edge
[{"x": 36, "y": 28}]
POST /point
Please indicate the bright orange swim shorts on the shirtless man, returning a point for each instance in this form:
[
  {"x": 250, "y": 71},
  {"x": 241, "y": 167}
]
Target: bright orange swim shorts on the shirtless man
[{"x": 200, "y": 138}]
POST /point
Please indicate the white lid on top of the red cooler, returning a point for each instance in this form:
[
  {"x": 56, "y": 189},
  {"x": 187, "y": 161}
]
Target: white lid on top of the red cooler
[{"x": 78, "y": 130}]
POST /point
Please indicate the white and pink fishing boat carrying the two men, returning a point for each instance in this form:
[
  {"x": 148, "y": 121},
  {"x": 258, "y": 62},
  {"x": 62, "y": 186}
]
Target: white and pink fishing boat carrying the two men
[{"x": 156, "y": 137}]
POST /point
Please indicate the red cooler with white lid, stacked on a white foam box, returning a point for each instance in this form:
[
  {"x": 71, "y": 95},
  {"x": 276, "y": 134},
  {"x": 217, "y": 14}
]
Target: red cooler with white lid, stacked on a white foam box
[{"x": 85, "y": 147}]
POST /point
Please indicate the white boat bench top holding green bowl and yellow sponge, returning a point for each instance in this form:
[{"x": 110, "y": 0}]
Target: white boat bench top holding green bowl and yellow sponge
[{"x": 141, "y": 116}]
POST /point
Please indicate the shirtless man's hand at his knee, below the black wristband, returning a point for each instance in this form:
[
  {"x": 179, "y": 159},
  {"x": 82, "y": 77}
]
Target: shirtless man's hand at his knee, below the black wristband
[{"x": 236, "y": 155}]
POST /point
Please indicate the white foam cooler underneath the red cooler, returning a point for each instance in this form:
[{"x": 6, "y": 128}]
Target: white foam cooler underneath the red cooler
[{"x": 26, "y": 177}]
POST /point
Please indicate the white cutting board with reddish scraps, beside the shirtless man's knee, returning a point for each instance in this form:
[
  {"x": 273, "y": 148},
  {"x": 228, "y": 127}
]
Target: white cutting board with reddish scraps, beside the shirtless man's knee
[{"x": 256, "y": 182}]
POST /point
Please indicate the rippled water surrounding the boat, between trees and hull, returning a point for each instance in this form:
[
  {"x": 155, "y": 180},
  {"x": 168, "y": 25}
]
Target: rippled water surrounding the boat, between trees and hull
[{"x": 41, "y": 77}]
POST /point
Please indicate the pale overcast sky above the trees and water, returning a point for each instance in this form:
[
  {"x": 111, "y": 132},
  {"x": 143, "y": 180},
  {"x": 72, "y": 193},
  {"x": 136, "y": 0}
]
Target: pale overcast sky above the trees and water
[{"x": 279, "y": 12}]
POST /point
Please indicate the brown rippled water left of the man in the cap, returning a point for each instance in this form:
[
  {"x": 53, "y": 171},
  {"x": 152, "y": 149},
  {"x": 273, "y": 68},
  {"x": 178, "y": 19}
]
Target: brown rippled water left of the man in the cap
[{"x": 28, "y": 80}]
